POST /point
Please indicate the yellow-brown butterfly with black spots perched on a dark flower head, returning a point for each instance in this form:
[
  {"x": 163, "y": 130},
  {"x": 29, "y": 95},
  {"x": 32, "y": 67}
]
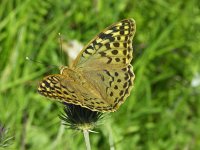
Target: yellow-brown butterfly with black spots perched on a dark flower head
[{"x": 101, "y": 77}]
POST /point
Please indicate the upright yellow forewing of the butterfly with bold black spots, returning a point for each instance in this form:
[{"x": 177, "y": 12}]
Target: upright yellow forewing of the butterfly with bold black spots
[{"x": 111, "y": 47}]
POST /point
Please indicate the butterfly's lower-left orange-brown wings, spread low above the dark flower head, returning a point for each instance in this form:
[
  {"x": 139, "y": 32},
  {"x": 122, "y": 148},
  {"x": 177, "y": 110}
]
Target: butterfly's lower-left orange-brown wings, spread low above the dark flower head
[{"x": 58, "y": 87}]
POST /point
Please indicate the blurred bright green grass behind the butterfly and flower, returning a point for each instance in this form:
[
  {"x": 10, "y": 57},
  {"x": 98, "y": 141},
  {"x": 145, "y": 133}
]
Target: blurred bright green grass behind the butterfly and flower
[{"x": 163, "y": 111}]
